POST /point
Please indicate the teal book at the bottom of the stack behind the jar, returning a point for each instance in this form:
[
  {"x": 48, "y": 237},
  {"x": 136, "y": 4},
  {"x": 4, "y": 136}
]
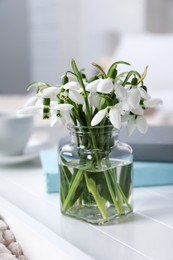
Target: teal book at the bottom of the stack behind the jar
[{"x": 145, "y": 173}]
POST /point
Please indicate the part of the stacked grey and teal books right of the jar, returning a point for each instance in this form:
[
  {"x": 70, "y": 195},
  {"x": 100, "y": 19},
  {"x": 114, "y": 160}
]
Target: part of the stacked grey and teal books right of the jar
[{"x": 153, "y": 155}]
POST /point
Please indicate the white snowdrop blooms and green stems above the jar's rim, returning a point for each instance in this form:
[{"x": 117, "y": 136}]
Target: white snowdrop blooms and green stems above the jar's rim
[{"x": 106, "y": 98}]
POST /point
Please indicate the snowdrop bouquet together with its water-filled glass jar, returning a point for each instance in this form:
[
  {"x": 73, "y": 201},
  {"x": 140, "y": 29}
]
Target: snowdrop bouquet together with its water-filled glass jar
[{"x": 95, "y": 169}]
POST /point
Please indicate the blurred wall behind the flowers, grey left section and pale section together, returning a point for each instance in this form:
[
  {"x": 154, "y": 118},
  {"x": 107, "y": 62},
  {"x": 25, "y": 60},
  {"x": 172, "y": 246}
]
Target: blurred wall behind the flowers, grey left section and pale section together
[{"x": 39, "y": 38}]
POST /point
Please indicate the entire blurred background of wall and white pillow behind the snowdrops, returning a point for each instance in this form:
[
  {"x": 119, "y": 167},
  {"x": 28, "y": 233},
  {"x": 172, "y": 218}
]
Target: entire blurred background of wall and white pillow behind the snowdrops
[{"x": 39, "y": 38}]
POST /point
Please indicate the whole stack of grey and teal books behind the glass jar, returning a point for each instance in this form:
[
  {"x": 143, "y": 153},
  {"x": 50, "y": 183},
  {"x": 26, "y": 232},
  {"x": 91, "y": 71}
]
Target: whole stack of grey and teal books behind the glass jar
[{"x": 153, "y": 158}]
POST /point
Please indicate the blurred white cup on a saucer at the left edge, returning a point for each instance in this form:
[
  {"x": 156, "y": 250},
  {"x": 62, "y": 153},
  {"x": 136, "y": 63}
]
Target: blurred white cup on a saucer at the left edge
[{"x": 15, "y": 132}]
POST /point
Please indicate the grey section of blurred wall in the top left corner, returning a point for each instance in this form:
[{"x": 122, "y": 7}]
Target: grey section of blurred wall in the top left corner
[{"x": 14, "y": 49}]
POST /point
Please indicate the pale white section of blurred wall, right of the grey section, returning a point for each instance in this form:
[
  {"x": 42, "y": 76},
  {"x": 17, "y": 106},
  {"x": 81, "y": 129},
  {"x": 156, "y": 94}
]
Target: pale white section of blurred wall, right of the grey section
[{"x": 84, "y": 30}]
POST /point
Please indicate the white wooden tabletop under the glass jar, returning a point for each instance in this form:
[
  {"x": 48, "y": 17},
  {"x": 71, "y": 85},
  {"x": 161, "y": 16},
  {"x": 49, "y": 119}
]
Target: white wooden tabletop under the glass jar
[{"x": 146, "y": 234}]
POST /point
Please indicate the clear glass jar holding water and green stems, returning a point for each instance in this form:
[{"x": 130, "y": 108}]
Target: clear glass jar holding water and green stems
[{"x": 96, "y": 175}]
